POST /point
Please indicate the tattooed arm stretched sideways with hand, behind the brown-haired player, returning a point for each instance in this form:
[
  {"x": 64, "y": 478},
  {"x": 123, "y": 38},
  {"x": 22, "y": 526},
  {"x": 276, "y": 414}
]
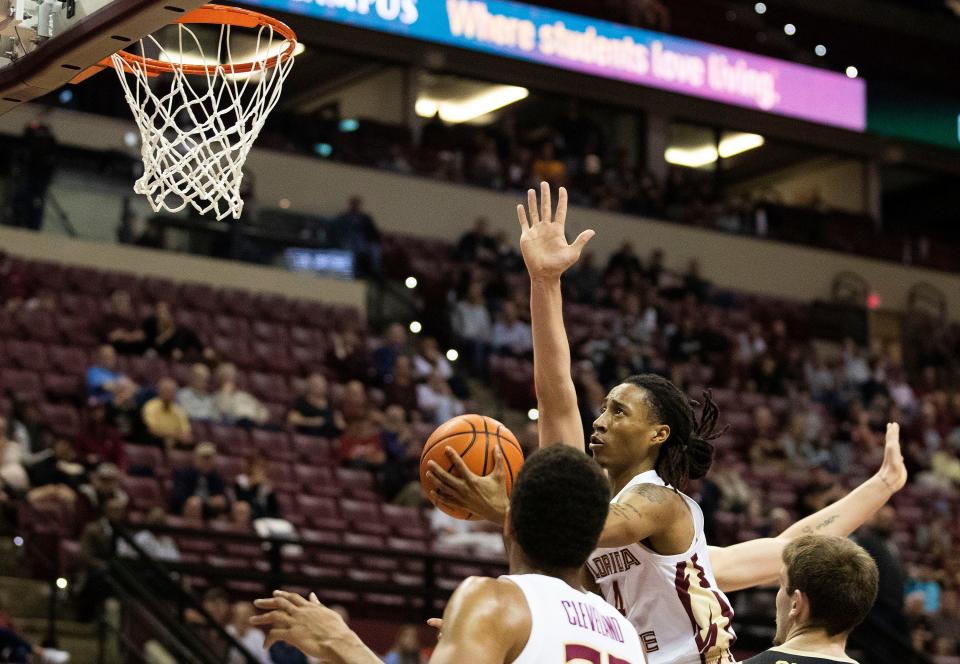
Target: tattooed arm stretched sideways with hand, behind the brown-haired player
[{"x": 757, "y": 562}]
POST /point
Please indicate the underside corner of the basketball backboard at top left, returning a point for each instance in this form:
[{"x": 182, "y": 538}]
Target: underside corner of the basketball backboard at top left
[{"x": 46, "y": 43}]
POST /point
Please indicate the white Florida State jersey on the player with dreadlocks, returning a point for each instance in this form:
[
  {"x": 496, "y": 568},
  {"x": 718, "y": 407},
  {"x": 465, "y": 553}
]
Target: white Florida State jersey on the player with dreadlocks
[{"x": 672, "y": 601}]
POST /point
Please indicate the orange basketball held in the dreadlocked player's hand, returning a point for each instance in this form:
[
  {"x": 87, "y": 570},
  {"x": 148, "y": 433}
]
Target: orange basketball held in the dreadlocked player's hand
[{"x": 474, "y": 438}]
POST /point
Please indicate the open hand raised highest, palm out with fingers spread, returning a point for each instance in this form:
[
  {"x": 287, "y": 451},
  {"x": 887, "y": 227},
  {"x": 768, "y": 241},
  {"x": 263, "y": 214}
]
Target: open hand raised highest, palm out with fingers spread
[{"x": 542, "y": 239}]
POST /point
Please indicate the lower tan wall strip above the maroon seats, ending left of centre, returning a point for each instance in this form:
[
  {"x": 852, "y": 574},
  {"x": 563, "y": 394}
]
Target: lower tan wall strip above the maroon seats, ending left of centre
[{"x": 181, "y": 267}]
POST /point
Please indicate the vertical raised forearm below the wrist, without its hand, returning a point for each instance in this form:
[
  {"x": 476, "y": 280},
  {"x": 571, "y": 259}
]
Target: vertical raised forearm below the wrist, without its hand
[{"x": 553, "y": 381}]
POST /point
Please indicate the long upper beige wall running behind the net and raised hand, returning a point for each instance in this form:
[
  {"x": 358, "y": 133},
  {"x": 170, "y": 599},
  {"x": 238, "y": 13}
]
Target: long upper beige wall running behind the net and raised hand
[{"x": 420, "y": 206}]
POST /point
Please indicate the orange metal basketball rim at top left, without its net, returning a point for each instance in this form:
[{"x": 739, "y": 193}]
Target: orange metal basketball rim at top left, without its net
[{"x": 215, "y": 15}]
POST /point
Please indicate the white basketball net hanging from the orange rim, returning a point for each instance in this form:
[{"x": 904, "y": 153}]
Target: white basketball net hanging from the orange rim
[{"x": 196, "y": 130}]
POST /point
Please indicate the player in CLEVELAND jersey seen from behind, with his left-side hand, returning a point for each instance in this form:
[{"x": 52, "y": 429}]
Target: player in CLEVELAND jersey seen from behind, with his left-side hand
[{"x": 539, "y": 613}]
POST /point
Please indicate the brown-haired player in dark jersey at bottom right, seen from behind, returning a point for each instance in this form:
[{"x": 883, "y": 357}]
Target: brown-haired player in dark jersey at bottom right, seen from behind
[{"x": 827, "y": 587}]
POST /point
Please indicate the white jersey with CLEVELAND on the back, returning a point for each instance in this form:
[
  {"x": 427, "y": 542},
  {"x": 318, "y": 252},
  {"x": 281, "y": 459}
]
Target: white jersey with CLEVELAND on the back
[{"x": 569, "y": 625}]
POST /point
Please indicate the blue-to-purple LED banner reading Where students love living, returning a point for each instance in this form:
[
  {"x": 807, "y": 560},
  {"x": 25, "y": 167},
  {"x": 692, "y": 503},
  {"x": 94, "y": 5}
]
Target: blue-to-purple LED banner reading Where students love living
[{"x": 609, "y": 50}]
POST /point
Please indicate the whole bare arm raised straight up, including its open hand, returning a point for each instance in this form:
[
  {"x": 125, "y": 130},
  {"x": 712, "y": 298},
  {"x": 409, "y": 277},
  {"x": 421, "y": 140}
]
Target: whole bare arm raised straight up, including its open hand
[{"x": 547, "y": 256}]
